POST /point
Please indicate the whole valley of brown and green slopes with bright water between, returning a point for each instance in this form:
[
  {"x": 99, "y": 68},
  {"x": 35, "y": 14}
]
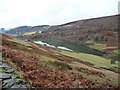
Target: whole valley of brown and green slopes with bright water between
[{"x": 79, "y": 54}]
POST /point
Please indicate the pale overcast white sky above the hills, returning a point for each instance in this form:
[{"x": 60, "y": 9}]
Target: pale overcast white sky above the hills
[{"x": 14, "y": 13}]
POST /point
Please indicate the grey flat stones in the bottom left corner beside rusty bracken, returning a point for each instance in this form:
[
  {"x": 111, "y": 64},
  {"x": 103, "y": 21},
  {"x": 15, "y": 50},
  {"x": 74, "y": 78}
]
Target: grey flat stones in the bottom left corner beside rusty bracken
[{"x": 9, "y": 79}]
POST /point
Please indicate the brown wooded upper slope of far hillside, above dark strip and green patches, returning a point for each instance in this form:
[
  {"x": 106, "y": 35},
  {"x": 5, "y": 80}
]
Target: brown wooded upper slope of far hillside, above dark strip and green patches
[{"x": 101, "y": 30}]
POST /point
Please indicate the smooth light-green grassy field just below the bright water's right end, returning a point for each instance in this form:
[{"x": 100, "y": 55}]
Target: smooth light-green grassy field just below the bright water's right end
[{"x": 96, "y": 60}]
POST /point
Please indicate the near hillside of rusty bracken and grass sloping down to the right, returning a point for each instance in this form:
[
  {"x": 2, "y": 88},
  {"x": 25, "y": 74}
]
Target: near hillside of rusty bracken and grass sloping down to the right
[{"x": 46, "y": 67}]
